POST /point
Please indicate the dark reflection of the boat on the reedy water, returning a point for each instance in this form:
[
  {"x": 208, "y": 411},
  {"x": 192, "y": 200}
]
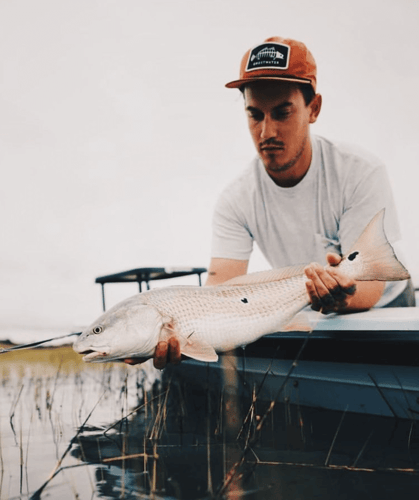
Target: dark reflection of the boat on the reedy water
[{"x": 179, "y": 445}]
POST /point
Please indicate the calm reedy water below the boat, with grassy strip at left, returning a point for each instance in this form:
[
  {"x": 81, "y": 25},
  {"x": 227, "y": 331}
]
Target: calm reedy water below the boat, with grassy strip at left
[{"x": 70, "y": 430}]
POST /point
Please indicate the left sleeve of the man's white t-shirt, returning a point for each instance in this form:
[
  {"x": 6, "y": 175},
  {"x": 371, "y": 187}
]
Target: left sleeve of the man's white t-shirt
[{"x": 231, "y": 238}]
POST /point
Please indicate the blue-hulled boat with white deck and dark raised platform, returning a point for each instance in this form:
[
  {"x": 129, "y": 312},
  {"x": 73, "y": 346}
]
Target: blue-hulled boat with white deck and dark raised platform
[{"x": 366, "y": 362}]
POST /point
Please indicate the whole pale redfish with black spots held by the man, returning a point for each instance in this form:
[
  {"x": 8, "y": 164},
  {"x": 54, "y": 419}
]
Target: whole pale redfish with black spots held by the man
[{"x": 212, "y": 319}]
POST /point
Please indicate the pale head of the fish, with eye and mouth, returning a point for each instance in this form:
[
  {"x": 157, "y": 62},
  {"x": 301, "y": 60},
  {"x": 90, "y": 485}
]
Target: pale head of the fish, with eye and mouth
[{"x": 129, "y": 329}]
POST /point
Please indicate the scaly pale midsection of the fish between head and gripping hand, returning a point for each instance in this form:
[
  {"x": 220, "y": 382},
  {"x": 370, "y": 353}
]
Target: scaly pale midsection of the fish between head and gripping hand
[{"x": 230, "y": 316}]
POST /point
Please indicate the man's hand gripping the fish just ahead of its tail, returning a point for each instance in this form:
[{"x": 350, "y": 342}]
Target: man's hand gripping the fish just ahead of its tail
[{"x": 329, "y": 290}]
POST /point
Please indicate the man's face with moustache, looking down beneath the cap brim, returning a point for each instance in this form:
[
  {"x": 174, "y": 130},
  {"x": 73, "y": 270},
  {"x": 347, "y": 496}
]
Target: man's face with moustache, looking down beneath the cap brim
[{"x": 279, "y": 122}]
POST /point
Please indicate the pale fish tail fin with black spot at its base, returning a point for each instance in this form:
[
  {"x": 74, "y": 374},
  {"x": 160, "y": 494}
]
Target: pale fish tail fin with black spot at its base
[{"x": 377, "y": 260}]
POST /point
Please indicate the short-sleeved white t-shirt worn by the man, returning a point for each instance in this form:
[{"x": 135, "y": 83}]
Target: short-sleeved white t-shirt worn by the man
[{"x": 325, "y": 212}]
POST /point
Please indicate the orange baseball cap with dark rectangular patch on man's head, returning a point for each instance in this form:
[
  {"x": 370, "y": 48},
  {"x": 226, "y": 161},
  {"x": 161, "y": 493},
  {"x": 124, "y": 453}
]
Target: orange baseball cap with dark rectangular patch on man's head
[{"x": 277, "y": 59}]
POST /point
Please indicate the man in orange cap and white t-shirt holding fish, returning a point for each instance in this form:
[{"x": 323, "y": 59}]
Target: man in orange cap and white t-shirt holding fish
[{"x": 303, "y": 197}]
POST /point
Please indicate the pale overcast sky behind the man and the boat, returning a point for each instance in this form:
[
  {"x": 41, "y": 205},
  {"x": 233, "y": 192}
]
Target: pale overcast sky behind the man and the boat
[{"x": 117, "y": 134}]
